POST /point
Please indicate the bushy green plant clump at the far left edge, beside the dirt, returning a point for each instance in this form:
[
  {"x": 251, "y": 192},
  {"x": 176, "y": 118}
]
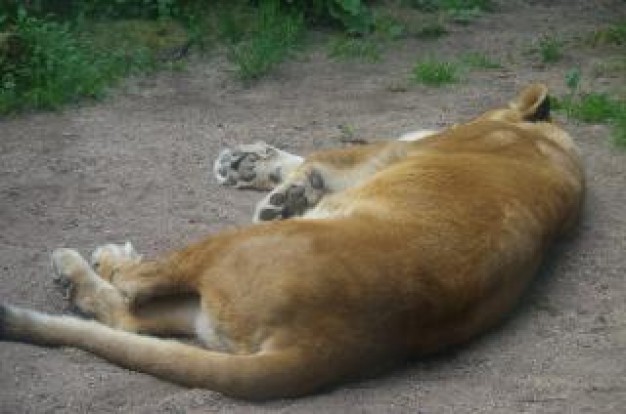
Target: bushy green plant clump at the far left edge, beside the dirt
[{"x": 46, "y": 65}]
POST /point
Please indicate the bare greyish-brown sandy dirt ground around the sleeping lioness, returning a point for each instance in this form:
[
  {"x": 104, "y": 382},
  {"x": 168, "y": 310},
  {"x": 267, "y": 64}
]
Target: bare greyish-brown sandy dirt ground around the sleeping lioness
[{"x": 137, "y": 167}]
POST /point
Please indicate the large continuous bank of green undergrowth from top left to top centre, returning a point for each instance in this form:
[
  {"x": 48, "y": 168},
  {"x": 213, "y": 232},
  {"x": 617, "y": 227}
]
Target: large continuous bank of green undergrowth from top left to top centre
[{"x": 56, "y": 52}]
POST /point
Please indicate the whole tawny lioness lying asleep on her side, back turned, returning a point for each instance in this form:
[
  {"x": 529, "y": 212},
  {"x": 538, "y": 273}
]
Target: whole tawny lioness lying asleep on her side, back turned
[{"x": 388, "y": 250}]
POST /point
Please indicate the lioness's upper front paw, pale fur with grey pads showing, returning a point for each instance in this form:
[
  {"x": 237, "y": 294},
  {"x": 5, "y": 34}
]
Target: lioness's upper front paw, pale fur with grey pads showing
[{"x": 259, "y": 166}]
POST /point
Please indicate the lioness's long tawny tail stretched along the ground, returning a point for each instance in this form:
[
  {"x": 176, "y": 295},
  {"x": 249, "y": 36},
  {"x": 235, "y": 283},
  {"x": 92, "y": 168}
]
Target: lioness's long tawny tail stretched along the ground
[{"x": 266, "y": 374}]
